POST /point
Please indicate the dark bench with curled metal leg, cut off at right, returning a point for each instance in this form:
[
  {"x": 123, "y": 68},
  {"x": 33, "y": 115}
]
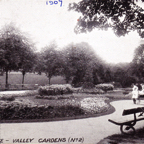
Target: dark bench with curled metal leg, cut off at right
[{"x": 127, "y": 127}]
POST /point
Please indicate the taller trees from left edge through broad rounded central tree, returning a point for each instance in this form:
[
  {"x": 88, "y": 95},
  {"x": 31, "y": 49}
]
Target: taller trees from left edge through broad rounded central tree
[{"x": 77, "y": 63}]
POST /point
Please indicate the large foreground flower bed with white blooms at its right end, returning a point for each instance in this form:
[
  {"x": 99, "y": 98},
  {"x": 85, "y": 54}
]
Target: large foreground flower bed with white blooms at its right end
[{"x": 23, "y": 109}]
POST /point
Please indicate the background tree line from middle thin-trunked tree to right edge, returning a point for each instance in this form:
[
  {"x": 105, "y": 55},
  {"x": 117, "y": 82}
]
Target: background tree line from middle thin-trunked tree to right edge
[{"x": 78, "y": 63}]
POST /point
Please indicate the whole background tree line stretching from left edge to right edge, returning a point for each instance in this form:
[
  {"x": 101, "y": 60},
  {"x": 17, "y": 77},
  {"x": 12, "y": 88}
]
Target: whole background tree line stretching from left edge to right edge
[{"x": 77, "y": 63}]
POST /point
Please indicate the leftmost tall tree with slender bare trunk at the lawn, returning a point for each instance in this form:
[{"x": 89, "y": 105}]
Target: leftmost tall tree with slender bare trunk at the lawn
[{"x": 9, "y": 46}]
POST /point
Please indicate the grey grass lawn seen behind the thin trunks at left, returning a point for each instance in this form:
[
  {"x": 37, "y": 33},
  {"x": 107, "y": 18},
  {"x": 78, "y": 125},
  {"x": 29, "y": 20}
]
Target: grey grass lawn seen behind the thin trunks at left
[{"x": 31, "y": 81}]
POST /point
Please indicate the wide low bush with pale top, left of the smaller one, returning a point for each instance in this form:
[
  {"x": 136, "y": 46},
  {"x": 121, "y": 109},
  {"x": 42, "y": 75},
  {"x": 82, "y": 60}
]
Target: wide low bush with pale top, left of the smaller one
[{"x": 55, "y": 89}]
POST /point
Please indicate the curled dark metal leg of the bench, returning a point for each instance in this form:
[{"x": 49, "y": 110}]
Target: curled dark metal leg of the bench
[{"x": 127, "y": 129}]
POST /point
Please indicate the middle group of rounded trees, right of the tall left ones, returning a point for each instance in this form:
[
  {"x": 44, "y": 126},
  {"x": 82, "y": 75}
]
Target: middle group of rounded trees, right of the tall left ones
[{"x": 77, "y": 63}]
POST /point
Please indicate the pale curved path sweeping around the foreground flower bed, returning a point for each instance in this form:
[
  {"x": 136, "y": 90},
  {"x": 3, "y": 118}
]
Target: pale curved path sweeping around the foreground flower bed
[{"x": 92, "y": 130}]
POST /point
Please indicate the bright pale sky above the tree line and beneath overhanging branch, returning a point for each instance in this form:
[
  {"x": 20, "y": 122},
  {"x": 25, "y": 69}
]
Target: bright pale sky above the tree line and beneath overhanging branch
[{"x": 45, "y": 23}]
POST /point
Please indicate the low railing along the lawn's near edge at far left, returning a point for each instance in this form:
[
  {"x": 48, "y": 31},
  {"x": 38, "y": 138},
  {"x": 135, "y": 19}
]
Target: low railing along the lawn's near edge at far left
[{"x": 18, "y": 87}]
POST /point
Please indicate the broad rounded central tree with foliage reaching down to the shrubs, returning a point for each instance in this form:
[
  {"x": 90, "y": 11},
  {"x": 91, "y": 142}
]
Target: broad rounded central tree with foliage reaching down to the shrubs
[{"x": 79, "y": 60}]
